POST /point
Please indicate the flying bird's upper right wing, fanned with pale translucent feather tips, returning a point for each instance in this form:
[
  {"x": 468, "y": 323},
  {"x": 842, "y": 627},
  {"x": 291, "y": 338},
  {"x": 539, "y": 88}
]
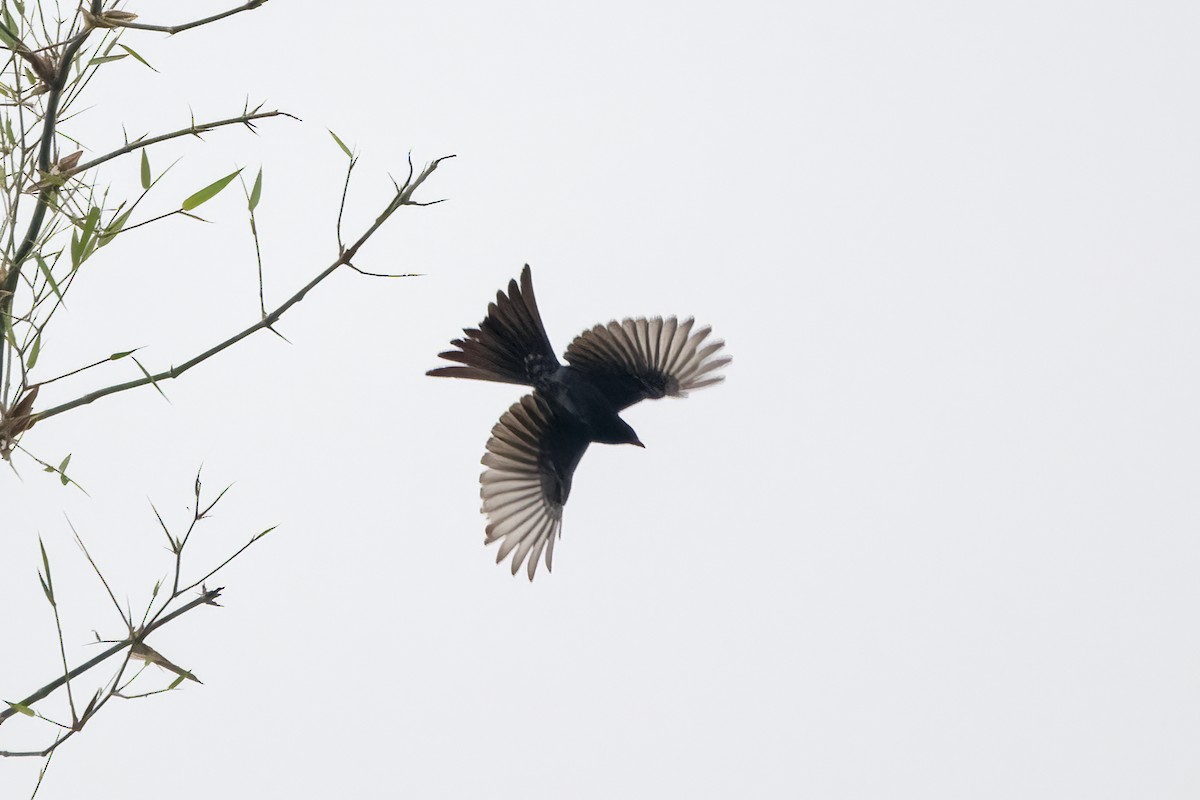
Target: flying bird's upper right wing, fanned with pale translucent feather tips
[{"x": 646, "y": 359}]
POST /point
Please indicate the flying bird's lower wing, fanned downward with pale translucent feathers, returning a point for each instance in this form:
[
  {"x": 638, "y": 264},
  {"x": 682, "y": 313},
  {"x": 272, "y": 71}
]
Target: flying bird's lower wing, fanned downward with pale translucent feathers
[{"x": 531, "y": 459}]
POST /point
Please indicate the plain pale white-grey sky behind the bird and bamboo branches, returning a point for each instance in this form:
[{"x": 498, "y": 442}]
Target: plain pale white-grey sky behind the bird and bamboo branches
[{"x": 934, "y": 538}]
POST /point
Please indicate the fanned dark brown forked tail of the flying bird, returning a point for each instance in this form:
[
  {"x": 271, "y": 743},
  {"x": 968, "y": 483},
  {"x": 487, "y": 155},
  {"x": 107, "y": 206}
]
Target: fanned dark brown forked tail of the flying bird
[{"x": 511, "y": 346}]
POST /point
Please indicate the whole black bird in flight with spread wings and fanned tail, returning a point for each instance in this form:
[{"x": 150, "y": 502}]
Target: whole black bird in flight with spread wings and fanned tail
[{"x": 535, "y": 449}]
